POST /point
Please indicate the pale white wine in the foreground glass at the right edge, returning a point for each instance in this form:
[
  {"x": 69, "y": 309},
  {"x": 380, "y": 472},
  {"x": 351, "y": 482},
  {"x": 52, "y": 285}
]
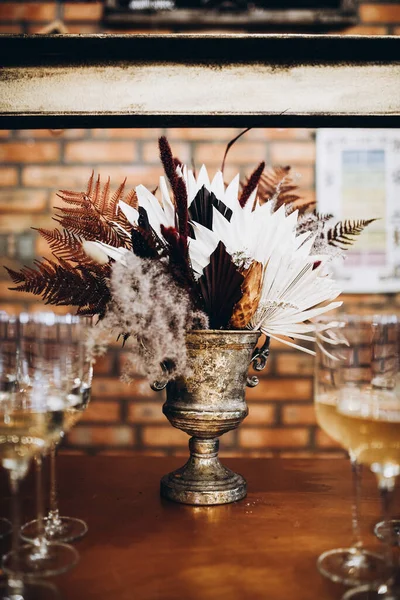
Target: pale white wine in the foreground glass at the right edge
[{"x": 372, "y": 422}]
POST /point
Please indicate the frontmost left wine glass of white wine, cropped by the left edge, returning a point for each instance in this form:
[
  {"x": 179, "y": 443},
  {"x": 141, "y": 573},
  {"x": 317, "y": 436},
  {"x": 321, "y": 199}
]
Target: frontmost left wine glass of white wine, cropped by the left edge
[{"x": 29, "y": 420}]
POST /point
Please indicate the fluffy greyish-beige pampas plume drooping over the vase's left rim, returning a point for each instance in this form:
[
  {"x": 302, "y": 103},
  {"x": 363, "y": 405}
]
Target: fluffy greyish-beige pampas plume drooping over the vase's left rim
[{"x": 152, "y": 314}]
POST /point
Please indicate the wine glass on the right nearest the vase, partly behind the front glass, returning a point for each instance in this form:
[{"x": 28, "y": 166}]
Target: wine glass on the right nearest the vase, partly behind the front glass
[{"x": 352, "y": 565}]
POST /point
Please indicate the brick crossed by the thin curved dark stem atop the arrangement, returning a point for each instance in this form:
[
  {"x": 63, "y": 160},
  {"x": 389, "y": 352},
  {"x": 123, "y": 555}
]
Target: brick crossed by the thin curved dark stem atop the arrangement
[{"x": 244, "y": 153}]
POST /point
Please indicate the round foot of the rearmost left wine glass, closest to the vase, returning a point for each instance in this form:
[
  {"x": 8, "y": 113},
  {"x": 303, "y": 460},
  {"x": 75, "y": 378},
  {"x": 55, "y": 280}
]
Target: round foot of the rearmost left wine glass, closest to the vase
[{"x": 64, "y": 529}]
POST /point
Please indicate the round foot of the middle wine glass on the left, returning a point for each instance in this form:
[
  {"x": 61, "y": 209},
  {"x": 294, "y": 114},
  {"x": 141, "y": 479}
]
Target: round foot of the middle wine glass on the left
[{"x": 34, "y": 561}]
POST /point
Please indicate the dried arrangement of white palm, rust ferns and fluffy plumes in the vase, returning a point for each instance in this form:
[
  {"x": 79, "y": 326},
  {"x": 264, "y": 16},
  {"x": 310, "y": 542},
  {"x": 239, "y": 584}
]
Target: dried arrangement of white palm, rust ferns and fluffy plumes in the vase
[{"x": 193, "y": 254}]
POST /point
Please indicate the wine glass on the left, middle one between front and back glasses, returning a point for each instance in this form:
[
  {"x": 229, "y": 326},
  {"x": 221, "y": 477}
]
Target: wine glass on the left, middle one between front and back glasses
[{"x": 44, "y": 380}]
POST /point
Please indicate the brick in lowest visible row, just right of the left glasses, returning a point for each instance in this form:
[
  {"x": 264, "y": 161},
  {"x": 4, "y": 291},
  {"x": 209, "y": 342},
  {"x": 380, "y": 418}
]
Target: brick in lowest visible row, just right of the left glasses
[{"x": 83, "y": 435}]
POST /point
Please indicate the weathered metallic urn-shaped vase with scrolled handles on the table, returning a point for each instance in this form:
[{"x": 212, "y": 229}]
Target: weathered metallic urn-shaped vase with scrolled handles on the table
[{"x": 206, "y": 404}]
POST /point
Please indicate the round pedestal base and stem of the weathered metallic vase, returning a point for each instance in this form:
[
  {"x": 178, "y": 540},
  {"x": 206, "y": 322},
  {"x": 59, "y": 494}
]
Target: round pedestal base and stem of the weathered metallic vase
[{"x": 203, "y": 480}]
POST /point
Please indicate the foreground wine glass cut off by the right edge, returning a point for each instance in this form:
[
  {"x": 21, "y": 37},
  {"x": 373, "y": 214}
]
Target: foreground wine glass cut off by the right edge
[{"x": 369, "y": 408}]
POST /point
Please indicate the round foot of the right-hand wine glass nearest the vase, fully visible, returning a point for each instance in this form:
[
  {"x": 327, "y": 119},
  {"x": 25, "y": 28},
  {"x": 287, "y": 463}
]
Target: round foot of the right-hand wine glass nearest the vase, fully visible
[{"x": 351, "y": 566}]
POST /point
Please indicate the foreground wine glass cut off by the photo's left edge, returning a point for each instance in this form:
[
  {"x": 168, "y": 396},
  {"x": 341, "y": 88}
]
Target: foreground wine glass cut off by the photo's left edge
[{"x": 25, "y": 425}]
